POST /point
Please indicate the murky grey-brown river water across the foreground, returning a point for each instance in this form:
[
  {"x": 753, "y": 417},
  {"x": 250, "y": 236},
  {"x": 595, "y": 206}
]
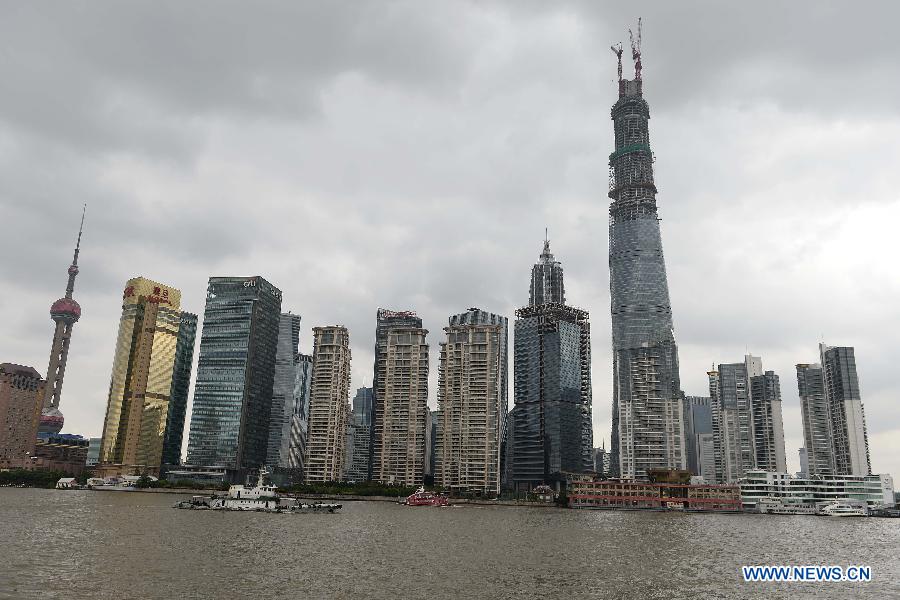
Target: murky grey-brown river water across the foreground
[{"x": 83, "y": 544}]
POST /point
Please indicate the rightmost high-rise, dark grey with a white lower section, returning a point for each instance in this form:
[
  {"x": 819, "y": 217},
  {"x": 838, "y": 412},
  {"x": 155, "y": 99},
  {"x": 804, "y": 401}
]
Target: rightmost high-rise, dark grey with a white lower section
[{"x": 849, "y": 437}]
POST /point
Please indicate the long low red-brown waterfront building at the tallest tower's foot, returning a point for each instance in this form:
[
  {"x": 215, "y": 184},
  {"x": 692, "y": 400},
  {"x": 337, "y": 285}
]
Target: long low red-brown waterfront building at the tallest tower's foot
[{"x": 657, "y": 495}]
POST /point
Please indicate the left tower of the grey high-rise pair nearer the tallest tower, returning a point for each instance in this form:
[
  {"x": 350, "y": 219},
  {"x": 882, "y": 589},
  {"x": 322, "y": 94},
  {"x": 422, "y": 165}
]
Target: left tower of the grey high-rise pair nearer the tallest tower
[{"x": 729, "y": 389}]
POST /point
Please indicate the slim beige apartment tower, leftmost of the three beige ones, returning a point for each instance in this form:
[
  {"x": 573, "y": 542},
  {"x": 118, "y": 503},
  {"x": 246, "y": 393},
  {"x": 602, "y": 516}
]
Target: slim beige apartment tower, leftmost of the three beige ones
[{"x": 328, "y": 406}]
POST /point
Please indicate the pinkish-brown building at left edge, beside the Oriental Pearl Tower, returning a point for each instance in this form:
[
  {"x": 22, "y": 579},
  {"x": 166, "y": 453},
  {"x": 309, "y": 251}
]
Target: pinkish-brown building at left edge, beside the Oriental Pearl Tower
[{"x": 21, "y": 399}]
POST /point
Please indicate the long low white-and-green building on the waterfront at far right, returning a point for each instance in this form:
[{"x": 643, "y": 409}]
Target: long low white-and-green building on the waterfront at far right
[{"x": 756, "y": 486}]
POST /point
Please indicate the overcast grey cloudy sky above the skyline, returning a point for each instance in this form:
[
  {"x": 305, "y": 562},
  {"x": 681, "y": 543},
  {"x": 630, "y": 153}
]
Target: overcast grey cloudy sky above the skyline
[{"x": 409, "y": 155}]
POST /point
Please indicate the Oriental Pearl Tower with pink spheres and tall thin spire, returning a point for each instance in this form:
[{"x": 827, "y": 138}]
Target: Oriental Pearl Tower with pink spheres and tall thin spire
[{"x": 65, "y": 312}]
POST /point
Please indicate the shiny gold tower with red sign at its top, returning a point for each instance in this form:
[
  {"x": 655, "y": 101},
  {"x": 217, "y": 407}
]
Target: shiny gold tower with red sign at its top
[{"x": 141, "y": 383}]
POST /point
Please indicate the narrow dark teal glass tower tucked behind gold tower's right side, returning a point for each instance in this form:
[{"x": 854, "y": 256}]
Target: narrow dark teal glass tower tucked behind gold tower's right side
[{"x": 181, "y": 383}]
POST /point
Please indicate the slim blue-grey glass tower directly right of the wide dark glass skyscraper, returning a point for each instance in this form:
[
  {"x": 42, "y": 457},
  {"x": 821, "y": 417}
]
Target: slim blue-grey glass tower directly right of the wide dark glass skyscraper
[{"x": 284, "y": 398}]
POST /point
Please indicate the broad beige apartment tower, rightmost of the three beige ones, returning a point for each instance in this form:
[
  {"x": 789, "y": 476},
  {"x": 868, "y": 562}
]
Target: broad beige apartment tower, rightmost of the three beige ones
[{"x": 471, "y": 398}]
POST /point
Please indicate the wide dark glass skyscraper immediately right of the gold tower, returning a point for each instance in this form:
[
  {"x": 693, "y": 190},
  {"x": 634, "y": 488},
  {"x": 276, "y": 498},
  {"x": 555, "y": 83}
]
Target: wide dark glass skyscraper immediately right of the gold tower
[{"x": 235, "y": 375}]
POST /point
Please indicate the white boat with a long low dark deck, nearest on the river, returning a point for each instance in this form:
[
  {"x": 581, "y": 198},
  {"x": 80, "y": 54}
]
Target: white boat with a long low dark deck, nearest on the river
[{"x": 260, "y": 498}]
